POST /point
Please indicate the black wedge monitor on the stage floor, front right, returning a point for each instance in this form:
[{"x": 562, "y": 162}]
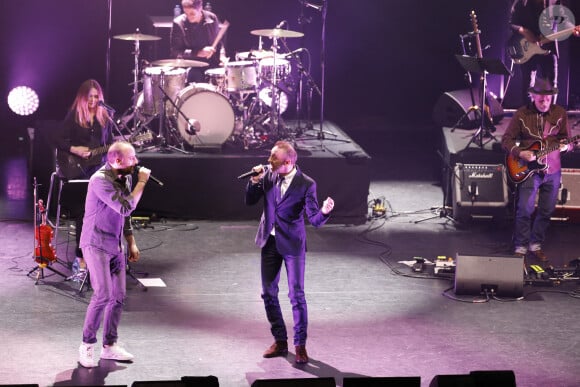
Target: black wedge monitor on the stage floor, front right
[{"x": 502, "y": 275}]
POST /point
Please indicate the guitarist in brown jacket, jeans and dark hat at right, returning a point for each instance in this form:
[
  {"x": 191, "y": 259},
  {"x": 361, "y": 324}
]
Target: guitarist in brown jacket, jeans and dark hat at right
[{"x": 536, "y": 126}]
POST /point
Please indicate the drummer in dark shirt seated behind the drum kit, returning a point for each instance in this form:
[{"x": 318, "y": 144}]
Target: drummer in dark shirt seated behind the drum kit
[{"x": 192, "y": 36}]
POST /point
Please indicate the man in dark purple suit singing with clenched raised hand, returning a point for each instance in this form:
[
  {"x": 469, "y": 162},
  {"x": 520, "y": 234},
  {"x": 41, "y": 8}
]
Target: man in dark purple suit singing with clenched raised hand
[{"x": 288, "y": 194}]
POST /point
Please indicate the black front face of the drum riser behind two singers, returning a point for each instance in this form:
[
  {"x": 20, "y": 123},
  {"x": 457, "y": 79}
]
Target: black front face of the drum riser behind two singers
[{"x": 206, "y": 186}]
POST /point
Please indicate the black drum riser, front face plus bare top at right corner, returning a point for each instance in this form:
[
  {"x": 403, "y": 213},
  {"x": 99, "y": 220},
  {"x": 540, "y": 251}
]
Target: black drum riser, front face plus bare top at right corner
[{"x": 204, "y": 185}]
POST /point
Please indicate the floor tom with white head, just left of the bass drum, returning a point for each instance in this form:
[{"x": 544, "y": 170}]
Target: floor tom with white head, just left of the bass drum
[{"x": 173, "y": 82}]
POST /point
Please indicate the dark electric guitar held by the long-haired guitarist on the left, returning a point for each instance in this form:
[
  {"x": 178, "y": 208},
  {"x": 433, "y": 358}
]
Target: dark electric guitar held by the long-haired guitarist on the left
[{"x": 70, "y": 166}]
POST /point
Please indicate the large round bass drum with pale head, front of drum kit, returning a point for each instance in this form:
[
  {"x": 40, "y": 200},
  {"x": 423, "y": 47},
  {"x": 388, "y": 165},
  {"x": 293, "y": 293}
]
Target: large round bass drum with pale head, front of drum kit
[{"x": 210, "y": 114}]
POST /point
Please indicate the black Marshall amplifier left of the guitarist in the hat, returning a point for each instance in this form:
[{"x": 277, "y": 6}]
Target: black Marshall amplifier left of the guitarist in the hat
[{"x": 479, "y": 190}]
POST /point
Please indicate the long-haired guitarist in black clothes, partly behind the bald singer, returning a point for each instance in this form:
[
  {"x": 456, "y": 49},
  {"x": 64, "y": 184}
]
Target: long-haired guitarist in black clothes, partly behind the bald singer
[{"x": 86, "y": 126}]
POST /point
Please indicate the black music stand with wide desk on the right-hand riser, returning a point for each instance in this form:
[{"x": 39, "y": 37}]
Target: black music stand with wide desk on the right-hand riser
[{"x": 482, "y": 66}]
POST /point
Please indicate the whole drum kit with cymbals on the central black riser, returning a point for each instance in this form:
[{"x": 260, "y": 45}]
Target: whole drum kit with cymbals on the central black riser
[{"x": 241, "y": 102}]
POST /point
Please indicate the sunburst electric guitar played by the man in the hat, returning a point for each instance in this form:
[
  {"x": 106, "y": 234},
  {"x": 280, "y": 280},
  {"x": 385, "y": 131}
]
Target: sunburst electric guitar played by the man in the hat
[{"x": 519, "y": 170}]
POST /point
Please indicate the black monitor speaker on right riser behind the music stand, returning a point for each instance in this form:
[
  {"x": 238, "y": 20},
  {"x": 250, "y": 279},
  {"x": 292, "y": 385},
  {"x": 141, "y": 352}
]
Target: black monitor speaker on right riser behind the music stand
[{"x": 452, "y": 106}]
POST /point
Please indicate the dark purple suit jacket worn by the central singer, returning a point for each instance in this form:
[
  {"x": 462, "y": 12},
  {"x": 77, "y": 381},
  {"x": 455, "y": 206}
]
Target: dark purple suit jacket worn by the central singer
[{"x": 287, "y": 215}]
